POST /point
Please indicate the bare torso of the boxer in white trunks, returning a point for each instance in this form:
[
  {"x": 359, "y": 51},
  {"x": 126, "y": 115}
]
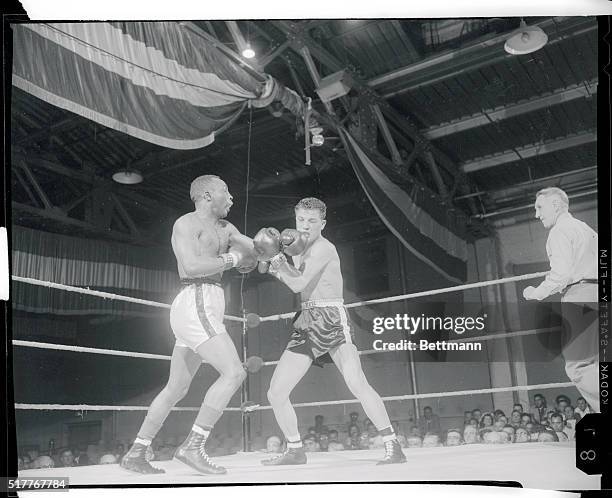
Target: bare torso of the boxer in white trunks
[{"x": 207, "y": 239}]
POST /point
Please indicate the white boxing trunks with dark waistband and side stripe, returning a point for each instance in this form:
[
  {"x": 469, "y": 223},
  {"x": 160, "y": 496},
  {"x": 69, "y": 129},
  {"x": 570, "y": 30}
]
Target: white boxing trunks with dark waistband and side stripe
[{"x": 197, "y": 312}]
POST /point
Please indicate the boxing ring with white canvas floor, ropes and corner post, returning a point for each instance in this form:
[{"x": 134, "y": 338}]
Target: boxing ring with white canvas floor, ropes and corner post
[{"x": 534, "y": 465}]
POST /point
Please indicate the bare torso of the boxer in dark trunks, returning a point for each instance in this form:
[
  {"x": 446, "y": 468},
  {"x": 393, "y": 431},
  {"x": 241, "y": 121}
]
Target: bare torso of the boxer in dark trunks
[{"x": 327, "y": 284}]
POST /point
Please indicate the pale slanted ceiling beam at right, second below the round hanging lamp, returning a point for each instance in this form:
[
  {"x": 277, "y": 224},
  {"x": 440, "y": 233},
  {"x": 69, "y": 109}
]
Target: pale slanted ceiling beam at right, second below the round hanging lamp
[{"x": 527, "y": 151}]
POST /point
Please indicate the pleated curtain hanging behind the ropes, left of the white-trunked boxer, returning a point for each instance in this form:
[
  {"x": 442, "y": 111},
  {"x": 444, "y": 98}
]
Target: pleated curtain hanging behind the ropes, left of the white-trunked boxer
[{"x": 107, "y": 266}]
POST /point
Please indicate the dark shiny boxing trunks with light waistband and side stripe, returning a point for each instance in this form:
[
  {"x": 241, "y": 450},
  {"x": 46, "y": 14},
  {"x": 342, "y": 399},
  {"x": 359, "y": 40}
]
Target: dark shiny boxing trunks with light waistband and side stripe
[{"x": 318, "y": 328}]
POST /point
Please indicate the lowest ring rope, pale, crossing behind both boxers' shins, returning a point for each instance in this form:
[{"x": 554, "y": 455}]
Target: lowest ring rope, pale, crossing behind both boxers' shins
[{"x": 34, "y": 406}]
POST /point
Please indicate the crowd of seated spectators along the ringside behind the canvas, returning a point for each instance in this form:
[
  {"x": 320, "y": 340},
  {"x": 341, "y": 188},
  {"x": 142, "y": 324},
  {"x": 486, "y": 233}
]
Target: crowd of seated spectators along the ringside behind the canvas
[{"x": 538, "y": 423}]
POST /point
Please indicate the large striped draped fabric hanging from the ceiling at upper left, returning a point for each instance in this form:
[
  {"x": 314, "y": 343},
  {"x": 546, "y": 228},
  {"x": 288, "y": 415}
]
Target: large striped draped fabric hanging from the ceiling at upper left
[{"x": 157, "y": 81}]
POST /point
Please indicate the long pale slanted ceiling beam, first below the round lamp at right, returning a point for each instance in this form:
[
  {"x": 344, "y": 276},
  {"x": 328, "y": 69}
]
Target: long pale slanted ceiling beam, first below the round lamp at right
[{"x": 483, "y": 118}]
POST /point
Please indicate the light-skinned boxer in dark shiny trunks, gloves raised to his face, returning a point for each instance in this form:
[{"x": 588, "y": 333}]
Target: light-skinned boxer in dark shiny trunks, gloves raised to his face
[{"x": 321, "y": 329}]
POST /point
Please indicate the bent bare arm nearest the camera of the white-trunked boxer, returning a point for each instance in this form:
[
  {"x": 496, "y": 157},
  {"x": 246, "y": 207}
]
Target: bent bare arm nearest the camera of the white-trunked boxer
[{"x": 186, "y": 250}]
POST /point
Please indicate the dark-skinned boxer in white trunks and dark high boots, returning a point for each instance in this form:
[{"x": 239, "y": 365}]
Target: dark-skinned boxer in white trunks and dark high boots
[{"x": 205, "y": 245}]
